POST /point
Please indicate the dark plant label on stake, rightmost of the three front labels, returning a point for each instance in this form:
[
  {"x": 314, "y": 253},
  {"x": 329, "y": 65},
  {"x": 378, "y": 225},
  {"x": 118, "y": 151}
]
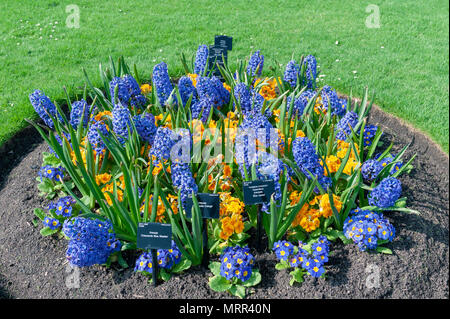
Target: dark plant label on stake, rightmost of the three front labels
[{"x": 256, "y": 193}]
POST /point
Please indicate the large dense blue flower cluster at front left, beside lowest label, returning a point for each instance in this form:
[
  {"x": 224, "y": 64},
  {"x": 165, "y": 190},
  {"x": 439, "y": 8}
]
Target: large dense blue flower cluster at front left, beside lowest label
[{"x": 91, "y": 241}]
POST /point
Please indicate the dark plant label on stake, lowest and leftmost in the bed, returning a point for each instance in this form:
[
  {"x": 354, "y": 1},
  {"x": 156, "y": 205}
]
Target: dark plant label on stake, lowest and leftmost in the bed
[{"x": 154, "y": 236}]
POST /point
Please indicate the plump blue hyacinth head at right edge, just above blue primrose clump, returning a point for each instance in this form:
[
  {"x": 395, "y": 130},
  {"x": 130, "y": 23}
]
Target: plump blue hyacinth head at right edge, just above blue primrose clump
[{"x": 386, "y": 193}]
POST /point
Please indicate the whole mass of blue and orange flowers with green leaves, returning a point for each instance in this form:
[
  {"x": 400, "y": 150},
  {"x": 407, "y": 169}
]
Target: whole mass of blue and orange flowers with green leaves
[{"x": 133, "y": 152}]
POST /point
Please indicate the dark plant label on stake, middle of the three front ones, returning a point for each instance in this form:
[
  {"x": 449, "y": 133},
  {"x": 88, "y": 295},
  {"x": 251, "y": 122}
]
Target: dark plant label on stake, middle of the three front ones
[{"x": 209, "y": 205}]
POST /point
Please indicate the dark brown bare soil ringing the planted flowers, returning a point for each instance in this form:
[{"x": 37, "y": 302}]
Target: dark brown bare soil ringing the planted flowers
[{"x": 35, "y": 267}]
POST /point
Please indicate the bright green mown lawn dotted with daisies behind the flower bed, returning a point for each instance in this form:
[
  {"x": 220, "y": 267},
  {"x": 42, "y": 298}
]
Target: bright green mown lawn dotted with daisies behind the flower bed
[{"x": 406, "y": 60}]
